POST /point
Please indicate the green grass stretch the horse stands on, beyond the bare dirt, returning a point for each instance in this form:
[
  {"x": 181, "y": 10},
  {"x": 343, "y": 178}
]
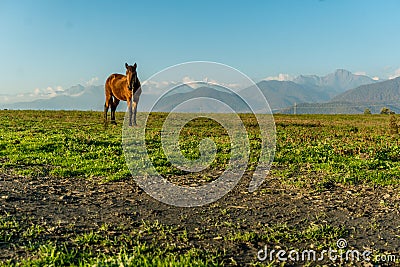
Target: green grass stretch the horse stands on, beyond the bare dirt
[{"x": 342, "y": 148}]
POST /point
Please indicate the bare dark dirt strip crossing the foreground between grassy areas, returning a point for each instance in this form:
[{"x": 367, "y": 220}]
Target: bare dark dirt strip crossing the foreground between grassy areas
[{"x": 370, "y": 214}]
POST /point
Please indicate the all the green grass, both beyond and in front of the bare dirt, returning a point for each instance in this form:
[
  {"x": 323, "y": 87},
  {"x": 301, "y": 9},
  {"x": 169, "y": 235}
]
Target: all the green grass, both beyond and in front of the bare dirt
[{"x": 314, "y": 153}]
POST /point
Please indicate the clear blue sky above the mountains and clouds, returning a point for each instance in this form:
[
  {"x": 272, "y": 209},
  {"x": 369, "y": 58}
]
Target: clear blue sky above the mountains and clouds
[{"x": 63, "y": 43}]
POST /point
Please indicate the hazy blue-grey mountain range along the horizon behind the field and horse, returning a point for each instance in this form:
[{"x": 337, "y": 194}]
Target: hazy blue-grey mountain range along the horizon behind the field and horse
[{"x": 338, "y": 92}]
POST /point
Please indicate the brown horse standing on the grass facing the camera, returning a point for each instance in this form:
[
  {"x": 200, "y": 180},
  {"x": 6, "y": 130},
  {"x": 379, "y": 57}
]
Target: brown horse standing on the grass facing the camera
[{"x": 122, "y": 87}]
